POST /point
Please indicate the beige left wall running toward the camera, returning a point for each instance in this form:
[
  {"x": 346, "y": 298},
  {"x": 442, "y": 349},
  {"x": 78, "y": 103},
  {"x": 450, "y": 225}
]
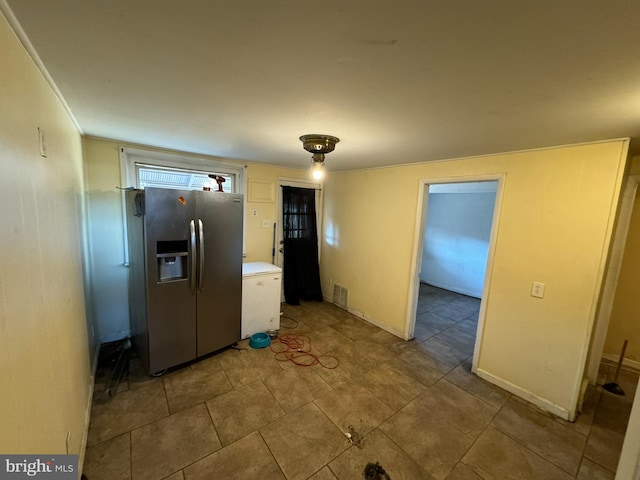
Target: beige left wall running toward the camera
[{"x": 44, "y": 351}]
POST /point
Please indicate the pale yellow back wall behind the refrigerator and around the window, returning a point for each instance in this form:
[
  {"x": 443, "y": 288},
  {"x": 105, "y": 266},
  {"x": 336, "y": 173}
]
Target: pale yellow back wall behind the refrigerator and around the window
[{"x": 108, "y": 273}]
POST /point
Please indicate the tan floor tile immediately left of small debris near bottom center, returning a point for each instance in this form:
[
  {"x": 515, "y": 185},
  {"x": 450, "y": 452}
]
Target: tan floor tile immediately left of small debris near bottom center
[{"x": 304, "y": 441}]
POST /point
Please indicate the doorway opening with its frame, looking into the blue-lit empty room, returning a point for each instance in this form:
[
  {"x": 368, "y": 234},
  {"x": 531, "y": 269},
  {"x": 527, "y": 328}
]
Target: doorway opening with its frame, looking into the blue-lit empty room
[{"x": 454, "y": 251}]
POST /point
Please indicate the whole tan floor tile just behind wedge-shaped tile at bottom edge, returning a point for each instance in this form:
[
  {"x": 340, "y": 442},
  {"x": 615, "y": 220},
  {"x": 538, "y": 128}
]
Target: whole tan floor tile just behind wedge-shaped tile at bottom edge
[{"x": 240, "y": 412}]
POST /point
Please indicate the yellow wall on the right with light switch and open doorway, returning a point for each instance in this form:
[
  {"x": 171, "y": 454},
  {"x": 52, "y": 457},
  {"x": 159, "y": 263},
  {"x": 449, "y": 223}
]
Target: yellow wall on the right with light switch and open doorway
[{"x": 555, "y": 224}]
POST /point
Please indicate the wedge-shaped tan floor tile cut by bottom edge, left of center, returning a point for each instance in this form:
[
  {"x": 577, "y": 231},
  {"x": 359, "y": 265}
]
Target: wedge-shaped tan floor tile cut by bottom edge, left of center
[{"x": 248, "y": 458}]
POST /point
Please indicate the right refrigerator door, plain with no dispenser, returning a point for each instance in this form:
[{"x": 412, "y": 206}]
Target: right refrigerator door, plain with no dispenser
[{"x": 219, "y": 301}]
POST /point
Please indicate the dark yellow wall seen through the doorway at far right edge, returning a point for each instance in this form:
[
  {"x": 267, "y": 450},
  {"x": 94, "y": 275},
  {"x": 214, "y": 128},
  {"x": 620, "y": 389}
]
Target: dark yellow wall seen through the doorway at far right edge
[{"x": 625, "y": 315}]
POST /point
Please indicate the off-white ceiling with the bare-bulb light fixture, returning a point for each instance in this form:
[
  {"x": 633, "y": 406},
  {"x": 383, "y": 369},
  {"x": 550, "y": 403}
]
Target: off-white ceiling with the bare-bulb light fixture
[{"x": 398, "y": 81}]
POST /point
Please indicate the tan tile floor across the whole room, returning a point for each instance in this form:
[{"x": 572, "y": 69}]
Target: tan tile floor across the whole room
[{"x": 412, "y": 407}]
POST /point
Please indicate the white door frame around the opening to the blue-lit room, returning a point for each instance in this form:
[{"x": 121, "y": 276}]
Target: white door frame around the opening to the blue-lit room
[{"x": 416, "y": 260}]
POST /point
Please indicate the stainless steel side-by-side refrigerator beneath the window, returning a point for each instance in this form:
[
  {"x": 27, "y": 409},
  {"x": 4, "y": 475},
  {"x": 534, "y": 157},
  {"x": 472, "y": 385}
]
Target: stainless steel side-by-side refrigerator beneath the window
[{"x": 185, "y": 273}]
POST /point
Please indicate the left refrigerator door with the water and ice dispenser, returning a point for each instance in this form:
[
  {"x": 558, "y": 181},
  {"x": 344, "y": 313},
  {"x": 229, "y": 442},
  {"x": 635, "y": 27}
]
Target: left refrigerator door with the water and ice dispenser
[{"x": 171, "y": 307}]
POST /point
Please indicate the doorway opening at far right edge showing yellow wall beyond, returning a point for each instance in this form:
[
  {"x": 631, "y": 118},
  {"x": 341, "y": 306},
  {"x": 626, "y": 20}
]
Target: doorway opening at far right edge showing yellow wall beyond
[{"x": 615, "y": 321}]
